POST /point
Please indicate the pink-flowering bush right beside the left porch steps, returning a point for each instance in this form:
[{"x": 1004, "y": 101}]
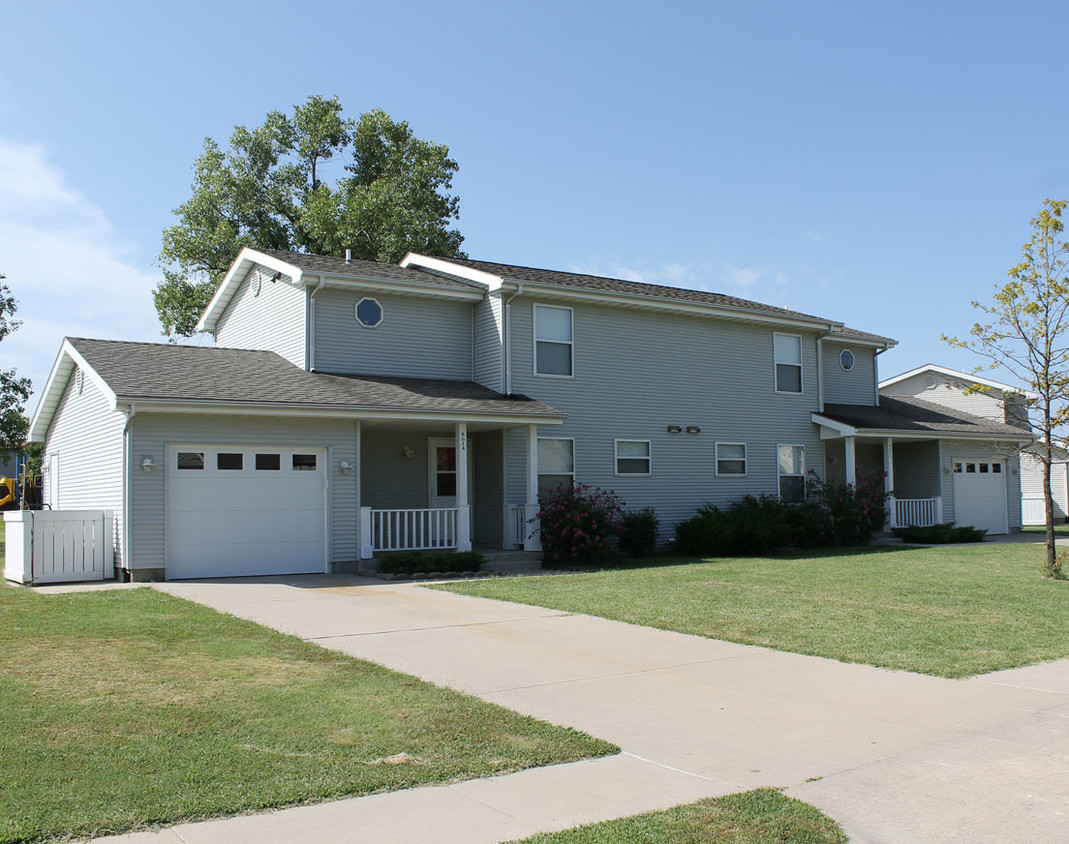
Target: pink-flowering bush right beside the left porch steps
[{"x": 579, "y": 524}]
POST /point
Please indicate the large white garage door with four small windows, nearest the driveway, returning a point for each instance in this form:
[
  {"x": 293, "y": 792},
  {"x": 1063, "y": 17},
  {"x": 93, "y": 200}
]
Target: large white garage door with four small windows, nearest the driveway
[{"x": 238, "y": 511}]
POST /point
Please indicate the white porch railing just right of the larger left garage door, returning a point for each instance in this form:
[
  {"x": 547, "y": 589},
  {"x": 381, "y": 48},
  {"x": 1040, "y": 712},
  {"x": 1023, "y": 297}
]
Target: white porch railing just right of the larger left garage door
[{"x": 414, "y": 530}]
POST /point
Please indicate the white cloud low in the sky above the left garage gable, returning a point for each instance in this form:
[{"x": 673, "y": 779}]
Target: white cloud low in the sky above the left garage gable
[{"x": 66, "y": 267}]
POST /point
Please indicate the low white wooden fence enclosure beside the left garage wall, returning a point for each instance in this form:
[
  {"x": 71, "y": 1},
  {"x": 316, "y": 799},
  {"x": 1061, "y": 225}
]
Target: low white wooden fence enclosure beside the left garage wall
[{"x": 57, "y": 546}]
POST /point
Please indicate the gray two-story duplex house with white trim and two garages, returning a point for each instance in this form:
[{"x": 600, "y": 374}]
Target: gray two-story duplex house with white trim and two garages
[{"x": 351, "y": 409}]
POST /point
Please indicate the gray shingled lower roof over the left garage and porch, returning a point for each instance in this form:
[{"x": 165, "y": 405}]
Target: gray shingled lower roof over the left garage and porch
[{"x": 149, "y": 372}]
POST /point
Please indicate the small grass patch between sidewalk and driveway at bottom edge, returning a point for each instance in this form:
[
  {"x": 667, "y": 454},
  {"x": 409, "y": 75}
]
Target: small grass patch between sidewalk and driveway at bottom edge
[{"x": 762, "y": 817}]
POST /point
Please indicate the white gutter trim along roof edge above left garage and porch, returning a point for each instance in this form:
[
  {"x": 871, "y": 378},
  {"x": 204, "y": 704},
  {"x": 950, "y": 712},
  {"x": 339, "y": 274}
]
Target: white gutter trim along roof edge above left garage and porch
[{"x": 150, "y": 407}]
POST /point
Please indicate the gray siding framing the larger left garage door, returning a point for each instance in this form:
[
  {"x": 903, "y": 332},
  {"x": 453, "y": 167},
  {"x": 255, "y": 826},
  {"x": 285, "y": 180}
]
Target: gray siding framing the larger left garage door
[{"x": 154, "y": 432}]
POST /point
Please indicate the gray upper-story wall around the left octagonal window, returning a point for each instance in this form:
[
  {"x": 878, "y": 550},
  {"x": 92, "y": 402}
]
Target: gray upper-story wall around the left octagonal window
[{"x": 419, "y": 337}]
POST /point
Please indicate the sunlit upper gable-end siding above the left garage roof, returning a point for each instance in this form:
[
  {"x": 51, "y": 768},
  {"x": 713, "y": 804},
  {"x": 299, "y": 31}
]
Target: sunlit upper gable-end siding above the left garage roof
[{"x": 274, "y": 321}]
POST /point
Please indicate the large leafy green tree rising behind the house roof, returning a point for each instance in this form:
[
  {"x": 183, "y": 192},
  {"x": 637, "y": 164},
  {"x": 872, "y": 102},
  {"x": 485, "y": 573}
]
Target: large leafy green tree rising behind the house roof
[{"x": 269, "y": 191}]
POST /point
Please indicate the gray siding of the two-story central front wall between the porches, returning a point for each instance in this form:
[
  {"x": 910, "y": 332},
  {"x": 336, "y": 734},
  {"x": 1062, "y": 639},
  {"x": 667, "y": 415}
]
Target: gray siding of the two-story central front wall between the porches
[{"x": 639, "y": 372}]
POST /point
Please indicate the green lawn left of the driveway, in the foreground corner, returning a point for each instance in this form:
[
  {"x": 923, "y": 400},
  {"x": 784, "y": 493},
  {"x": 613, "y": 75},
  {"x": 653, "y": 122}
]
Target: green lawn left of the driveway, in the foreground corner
[{"x": 133, "y": 709}]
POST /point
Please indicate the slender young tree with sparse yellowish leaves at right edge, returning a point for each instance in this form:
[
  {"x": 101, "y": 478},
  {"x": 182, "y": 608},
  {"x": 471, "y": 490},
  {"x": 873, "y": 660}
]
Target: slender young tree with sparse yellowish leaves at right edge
[{"x": 1026, "y": 331}]
